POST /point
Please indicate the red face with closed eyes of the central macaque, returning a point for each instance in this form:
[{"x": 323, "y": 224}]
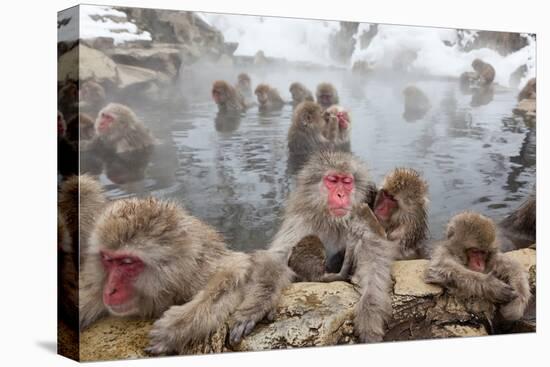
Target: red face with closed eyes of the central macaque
[{"x": 340, "y": 187}]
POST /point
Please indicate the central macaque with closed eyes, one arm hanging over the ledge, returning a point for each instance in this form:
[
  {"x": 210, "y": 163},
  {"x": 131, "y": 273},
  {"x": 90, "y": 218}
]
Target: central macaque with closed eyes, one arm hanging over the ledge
[{"x": 330, "y": 189}]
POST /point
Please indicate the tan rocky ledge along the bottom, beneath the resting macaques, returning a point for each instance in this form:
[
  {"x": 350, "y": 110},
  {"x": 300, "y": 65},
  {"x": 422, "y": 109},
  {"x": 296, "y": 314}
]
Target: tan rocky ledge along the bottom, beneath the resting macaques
[{"x": 318, "y": 314}]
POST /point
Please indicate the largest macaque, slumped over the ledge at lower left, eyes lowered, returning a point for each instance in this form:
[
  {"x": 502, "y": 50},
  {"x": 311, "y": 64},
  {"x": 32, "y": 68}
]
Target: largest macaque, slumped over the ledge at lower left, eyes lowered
[{"x": 150, "y": 258}]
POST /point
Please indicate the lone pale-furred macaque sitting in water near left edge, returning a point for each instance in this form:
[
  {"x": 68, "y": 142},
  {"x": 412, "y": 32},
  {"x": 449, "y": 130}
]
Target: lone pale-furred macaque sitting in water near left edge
[{"x": 119, "y": 130}]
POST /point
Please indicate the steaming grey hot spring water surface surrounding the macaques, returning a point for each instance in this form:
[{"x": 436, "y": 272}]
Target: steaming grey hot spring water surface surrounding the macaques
[{"x": 233, "y": 172}]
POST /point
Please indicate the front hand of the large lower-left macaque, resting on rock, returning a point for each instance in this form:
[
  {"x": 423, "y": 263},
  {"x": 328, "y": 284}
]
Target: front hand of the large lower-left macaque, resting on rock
[{"x": 171, "y": 333}]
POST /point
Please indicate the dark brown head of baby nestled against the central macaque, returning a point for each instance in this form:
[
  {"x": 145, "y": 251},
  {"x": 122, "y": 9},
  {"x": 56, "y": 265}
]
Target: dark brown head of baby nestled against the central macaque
[{"x": 308, "y": 259}]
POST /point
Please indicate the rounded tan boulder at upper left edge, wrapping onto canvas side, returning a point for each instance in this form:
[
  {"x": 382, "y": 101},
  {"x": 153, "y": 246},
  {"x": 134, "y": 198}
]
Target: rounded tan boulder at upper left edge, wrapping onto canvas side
[{"x": 93, "y": 64}]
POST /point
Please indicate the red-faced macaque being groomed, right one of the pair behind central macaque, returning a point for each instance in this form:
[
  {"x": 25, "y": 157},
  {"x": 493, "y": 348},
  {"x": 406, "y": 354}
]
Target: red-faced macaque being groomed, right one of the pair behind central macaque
[{"x": 337, "y": 129}]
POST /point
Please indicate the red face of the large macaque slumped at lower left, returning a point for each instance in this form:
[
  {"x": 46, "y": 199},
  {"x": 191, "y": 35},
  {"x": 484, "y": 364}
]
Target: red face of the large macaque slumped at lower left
[{"x": 122, "y": 271}]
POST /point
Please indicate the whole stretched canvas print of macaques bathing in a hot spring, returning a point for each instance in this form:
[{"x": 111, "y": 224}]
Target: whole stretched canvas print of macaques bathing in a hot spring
[{"x": 243, "y": 183}]
